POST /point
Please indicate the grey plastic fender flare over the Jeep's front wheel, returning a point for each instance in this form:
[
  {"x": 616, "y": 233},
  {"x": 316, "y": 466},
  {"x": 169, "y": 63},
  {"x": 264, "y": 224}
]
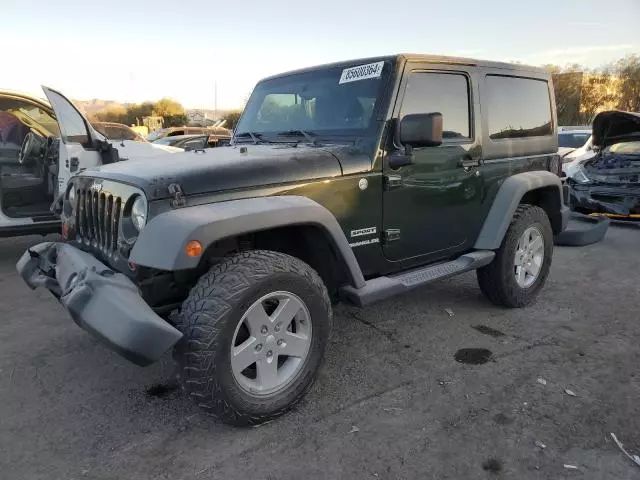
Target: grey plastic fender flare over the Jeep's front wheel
[{"x": 162, "y": 242}]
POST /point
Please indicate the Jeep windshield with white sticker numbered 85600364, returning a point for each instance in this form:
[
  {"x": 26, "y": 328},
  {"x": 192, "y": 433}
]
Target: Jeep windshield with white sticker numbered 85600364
[{"x": 338, "y": 101}]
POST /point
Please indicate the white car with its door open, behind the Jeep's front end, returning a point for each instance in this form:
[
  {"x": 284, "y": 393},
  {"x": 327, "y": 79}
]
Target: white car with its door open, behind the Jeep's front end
[{"x": 42, "y": 145}]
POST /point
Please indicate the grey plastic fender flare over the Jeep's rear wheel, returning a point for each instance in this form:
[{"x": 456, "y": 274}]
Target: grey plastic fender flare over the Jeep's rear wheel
[{"x": 505, "y": 203}]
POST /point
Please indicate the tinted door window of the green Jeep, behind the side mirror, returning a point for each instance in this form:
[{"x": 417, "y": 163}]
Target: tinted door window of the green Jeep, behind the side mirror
[{"x": 447, "y": 93}]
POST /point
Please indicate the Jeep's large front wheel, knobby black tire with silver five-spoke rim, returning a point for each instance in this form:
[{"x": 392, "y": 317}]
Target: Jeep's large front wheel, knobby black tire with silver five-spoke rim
[{"x": 256, "y": 327}]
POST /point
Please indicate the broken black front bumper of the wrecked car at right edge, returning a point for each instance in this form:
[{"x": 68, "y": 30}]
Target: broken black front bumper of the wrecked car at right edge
[{"x": 611, "y": 201}]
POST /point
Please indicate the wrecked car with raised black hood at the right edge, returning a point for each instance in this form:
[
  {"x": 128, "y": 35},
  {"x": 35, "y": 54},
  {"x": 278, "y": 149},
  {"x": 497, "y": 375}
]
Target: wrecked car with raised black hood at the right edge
[{"x": 608, "y": 183}]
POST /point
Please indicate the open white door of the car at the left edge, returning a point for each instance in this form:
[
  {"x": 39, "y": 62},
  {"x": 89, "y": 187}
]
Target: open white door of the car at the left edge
[{"x": 77, "y": 150}]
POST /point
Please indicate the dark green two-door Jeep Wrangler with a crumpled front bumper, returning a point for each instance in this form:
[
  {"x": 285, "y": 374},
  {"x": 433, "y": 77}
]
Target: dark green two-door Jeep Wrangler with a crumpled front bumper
[{"x": 357, "y": 181}]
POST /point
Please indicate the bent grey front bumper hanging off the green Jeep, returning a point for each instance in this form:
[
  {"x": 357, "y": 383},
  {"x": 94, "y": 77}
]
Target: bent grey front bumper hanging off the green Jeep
[{"x": 105, "y": 303}]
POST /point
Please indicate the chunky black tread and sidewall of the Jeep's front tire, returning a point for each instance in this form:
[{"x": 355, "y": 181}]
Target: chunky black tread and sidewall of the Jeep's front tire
[{"x": 210, "y": 300}]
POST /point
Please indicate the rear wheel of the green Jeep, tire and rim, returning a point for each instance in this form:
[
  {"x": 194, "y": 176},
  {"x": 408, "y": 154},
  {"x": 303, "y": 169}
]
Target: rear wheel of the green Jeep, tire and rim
[{"x": 502, "y": 281}]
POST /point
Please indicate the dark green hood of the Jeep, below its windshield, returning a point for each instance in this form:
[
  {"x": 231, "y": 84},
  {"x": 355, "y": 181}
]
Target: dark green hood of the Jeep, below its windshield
[{"x": 222, "y": 168}]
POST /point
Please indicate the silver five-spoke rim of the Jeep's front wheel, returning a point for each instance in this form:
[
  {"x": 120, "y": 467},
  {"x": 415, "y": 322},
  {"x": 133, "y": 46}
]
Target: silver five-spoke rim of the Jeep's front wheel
[{"x": 271, "y": 343}]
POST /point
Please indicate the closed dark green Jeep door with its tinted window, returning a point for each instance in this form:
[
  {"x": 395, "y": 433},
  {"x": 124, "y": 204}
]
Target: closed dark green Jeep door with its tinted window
[{"x": 430, "y": 205}]
